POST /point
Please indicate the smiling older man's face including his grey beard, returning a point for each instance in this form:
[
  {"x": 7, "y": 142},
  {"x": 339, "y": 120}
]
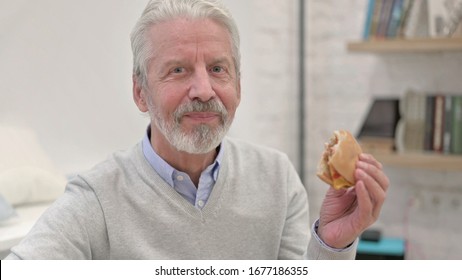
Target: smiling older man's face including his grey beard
[{"x": 193, "y": 89}]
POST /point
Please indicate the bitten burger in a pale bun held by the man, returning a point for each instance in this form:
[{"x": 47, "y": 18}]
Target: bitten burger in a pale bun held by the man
[{"x": 338, "y": 161}]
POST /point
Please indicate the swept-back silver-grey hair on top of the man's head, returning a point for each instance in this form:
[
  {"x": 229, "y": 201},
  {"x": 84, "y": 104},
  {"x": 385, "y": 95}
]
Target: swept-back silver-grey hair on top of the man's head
[{"x": 158, "y": 11}]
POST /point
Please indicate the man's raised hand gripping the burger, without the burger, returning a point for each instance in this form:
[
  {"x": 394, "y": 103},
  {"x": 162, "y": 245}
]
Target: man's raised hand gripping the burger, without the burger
[{"x": 346, "y": 213}]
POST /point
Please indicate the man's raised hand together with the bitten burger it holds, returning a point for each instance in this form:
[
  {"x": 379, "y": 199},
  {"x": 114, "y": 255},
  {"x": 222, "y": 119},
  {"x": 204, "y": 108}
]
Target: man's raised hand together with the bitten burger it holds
[{"x": 358, "y": 191}]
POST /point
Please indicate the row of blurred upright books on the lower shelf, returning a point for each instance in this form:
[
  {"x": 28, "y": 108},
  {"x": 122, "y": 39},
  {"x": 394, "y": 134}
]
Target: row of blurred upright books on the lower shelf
[{"x": 430, "y": 122}]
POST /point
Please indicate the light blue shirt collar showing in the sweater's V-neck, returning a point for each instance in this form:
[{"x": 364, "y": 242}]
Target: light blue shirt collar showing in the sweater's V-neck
[{"x": 181, "y": 181}]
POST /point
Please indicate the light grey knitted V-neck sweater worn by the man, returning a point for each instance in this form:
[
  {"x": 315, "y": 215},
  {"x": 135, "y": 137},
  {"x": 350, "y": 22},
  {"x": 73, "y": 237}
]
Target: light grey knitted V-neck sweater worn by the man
[{"x": 122, "y": 209}]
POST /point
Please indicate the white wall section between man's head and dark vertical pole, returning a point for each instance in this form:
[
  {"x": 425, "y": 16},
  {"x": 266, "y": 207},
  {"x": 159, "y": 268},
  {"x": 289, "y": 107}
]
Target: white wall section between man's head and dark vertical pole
[{"x": 268, "y": 111}]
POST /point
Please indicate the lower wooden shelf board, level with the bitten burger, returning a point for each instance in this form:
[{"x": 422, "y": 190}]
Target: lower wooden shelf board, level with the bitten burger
[{"x": 431, "y": 161}]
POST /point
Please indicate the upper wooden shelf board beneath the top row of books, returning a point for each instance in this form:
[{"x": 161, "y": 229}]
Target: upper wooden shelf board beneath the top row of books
[{"x": 407, "y": 45}]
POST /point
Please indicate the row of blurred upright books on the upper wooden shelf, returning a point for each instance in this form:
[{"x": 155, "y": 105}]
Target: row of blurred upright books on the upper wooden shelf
[{"x": 413, "y": 19}]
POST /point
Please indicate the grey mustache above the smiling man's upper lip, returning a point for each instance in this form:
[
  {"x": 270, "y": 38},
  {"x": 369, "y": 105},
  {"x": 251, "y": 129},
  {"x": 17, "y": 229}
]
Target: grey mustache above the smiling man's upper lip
[{"x": 212, "y": 105}]
